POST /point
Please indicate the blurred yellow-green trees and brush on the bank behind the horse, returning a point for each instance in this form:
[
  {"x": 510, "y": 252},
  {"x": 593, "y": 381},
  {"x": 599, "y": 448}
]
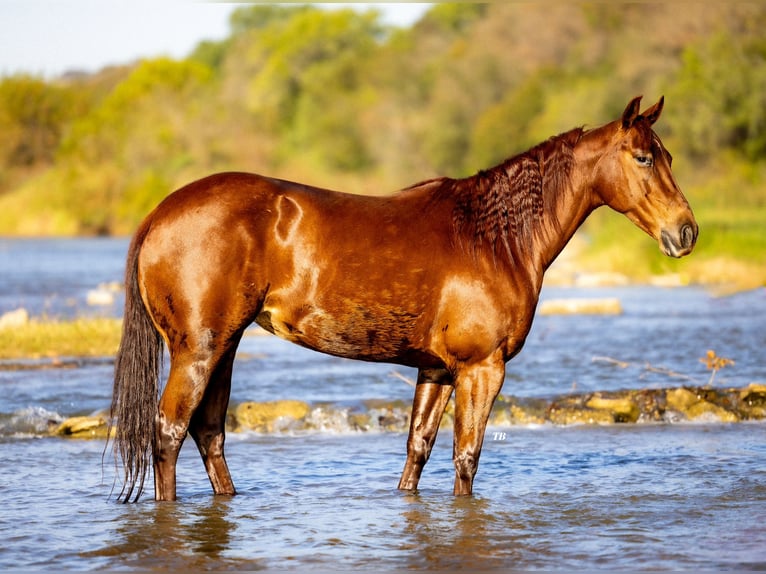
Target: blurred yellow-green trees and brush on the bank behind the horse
[{"x": 334, "y": 97}]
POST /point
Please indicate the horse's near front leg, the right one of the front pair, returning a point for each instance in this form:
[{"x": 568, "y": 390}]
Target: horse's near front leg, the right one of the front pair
[{"x": 476, "y": 387}]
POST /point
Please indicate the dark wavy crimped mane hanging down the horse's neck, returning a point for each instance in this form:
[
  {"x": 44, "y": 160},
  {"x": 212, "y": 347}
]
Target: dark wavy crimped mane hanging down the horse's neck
[{"x": 505, "y": 206}]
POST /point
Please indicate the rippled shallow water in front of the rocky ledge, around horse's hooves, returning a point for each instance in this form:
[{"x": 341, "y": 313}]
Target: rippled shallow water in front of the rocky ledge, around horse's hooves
[{"x": 652, "y": 497}]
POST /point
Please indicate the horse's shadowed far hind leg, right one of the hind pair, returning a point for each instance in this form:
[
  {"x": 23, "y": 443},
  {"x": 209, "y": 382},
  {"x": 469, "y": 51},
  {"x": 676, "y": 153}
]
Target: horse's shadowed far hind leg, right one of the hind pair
[{"x": 208, "y": 426}]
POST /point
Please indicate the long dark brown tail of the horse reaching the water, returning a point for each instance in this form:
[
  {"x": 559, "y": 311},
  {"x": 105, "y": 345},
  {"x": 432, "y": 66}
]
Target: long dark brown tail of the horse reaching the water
[{"x": 136, "y": 382}]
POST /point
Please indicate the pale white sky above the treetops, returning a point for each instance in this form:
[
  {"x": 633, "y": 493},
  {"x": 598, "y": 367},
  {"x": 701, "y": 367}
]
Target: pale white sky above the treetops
[{"x": 51, "y": 37}]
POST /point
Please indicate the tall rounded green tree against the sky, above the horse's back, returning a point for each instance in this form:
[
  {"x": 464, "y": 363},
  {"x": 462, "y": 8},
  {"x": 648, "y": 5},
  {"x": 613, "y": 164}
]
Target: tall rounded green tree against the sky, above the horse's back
[{"x": 312, "y": 87}]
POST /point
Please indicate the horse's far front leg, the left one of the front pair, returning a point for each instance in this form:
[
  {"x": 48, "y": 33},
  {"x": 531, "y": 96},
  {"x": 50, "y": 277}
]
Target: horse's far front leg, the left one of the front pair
[{"x": 432, "y": 393}]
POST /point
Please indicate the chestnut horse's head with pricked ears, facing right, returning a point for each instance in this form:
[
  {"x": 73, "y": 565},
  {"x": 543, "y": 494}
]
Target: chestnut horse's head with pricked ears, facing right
[{"x": 633, "y": 176}]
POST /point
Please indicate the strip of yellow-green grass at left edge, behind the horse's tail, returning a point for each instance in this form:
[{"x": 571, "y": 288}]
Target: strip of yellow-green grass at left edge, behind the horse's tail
[{"x": 40, "y": 339}]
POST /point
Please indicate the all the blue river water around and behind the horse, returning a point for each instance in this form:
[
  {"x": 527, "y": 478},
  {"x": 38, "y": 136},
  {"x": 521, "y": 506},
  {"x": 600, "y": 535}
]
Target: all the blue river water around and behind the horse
[{"x": 683, "y": 496}]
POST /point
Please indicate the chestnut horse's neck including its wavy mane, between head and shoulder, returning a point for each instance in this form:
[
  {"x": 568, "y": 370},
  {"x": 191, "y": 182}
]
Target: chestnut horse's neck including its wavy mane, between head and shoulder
[{"x": 526, "y": 210}]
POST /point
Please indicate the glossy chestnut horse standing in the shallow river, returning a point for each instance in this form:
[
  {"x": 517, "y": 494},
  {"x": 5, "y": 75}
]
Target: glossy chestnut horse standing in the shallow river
[{"x": 443, "y": 276}]
